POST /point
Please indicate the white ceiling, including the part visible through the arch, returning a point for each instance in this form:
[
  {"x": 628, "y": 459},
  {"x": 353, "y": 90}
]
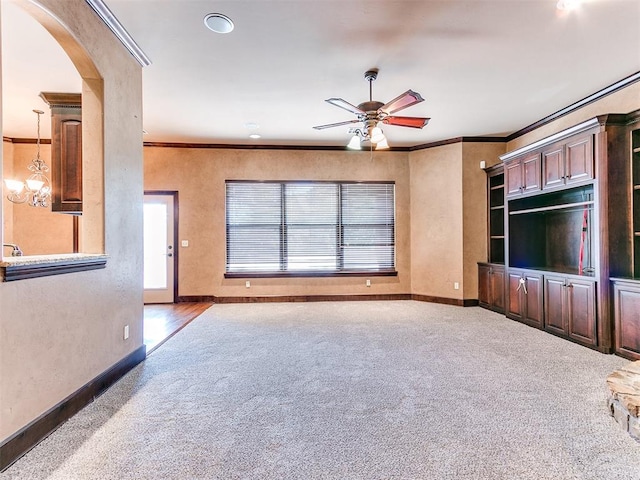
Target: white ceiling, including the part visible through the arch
[{"x": 484, "y": 67}]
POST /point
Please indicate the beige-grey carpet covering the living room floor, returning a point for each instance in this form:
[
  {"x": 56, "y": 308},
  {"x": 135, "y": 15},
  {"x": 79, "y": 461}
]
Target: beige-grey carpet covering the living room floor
[{"x": 351, "y": 390}]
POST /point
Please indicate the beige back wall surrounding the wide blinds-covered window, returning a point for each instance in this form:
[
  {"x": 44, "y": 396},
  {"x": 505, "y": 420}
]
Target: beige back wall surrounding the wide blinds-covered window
[{"x": 198, "y": 174}]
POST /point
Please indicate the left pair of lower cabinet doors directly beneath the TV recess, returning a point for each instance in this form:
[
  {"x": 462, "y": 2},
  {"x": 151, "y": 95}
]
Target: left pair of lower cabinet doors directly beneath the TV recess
[{"x": 525, "y": 297}]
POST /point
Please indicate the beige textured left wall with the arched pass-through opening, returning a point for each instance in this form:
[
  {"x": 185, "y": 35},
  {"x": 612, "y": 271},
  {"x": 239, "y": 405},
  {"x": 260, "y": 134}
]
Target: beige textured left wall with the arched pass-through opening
[{"x": 57, "y": 333}]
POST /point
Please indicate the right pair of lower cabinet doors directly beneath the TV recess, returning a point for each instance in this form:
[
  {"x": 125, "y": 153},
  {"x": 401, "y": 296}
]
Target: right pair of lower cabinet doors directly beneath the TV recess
[{"x": 569, "y": 307}]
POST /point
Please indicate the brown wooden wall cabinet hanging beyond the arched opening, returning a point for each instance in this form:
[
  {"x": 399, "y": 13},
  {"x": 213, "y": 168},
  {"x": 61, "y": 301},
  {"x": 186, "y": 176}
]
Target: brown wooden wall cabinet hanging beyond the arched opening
[{"x": 66, "y": 151}]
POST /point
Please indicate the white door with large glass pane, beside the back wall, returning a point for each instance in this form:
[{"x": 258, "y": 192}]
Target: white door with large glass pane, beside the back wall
[{"x": 159, "y": 249}]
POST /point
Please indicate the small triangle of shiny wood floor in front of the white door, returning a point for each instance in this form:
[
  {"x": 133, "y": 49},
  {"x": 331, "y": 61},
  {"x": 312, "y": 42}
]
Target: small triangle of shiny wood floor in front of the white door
[{"x": 161, "y": 321}]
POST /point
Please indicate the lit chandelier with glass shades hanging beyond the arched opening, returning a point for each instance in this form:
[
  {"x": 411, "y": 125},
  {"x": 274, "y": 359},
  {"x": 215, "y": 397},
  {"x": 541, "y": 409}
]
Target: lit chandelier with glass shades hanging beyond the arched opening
[{"x": 36, "y": 189}]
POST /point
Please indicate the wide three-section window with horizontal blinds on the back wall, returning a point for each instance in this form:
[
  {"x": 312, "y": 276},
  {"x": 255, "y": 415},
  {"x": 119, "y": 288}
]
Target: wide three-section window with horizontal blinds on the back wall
[{"x": 309, "y": 228}]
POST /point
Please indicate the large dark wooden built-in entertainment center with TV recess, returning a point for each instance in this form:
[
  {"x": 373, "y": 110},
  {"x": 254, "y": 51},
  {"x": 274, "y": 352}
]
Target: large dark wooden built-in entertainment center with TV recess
[{"x": 571, "y": 225}]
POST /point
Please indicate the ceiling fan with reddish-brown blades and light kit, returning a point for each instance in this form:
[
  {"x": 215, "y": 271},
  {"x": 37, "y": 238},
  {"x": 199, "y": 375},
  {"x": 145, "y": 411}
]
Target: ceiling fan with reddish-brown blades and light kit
[{"x": 372, "y": 113}]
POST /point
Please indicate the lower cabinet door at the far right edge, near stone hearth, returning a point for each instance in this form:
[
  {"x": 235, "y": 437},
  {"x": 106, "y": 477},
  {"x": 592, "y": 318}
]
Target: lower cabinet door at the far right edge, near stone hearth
[{"x": 627, "y": 316}]
